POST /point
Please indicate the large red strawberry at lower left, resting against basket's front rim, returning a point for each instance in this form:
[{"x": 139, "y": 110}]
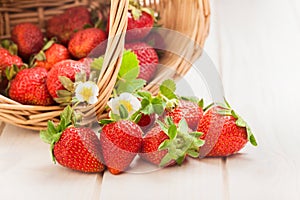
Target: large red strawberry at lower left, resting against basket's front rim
[{"x": 29, "y": 87}]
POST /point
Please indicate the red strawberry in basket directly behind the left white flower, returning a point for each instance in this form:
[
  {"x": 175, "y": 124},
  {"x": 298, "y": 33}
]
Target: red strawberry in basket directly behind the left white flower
[{"x": 66, "y": 68}]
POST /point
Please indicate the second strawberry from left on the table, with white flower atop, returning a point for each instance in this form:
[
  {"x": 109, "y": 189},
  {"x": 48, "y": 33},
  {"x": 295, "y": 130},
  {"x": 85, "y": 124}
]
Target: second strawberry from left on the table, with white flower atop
[{"x": 120, "y": 137}]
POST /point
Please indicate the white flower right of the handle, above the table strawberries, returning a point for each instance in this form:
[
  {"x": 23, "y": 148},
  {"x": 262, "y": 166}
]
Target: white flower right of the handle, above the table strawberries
[{"x": 130, "y": 102}]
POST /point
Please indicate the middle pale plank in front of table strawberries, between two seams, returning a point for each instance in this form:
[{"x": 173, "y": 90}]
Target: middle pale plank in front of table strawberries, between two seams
[{"x": 194, "y": 180}]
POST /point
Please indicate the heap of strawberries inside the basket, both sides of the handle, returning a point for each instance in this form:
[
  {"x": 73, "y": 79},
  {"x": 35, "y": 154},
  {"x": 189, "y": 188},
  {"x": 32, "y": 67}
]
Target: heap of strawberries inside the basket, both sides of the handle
[{"x": 36, "y": 68}]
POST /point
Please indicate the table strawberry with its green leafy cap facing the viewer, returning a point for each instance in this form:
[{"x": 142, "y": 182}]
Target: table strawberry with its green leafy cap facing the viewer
[{"x": 167, "y": 144}]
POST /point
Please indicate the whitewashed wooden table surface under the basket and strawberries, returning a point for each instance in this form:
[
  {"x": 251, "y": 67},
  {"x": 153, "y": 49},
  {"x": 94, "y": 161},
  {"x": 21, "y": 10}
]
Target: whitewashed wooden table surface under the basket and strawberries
[{"x": 256, "y": 47}]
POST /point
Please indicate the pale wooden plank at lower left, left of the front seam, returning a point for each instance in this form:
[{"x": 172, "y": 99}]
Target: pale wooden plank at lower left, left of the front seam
[{"x": 27, "y": 172}]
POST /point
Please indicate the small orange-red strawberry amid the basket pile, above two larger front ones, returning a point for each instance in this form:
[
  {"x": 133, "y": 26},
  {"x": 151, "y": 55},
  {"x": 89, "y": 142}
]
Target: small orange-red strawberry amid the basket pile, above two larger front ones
[{"x": 53, "y": 55}]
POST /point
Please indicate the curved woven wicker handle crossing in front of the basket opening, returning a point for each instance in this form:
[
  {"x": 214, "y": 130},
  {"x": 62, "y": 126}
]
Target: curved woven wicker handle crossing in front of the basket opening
[{"x": 114, "y": 51}]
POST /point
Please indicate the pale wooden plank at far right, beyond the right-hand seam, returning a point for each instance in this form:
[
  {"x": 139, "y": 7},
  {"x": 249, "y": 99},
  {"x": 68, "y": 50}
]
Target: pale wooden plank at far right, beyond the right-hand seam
[{"x": 260, "y": 74}]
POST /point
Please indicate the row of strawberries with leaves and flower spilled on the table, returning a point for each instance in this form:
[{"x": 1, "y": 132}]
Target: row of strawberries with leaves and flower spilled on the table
[{"x": 164, "y": 130}]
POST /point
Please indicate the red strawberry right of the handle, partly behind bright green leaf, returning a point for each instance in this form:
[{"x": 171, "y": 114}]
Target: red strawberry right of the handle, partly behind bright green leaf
[{"x": 148, "y": 59}]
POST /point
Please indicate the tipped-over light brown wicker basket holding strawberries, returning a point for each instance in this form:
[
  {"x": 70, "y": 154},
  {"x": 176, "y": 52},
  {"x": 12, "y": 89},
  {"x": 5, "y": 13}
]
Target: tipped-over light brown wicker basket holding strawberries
[{"x": 189, "y": 17}]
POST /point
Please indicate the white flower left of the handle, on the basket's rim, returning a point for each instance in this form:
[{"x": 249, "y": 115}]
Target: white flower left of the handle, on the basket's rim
[{"x": 87, "y": 92}]
